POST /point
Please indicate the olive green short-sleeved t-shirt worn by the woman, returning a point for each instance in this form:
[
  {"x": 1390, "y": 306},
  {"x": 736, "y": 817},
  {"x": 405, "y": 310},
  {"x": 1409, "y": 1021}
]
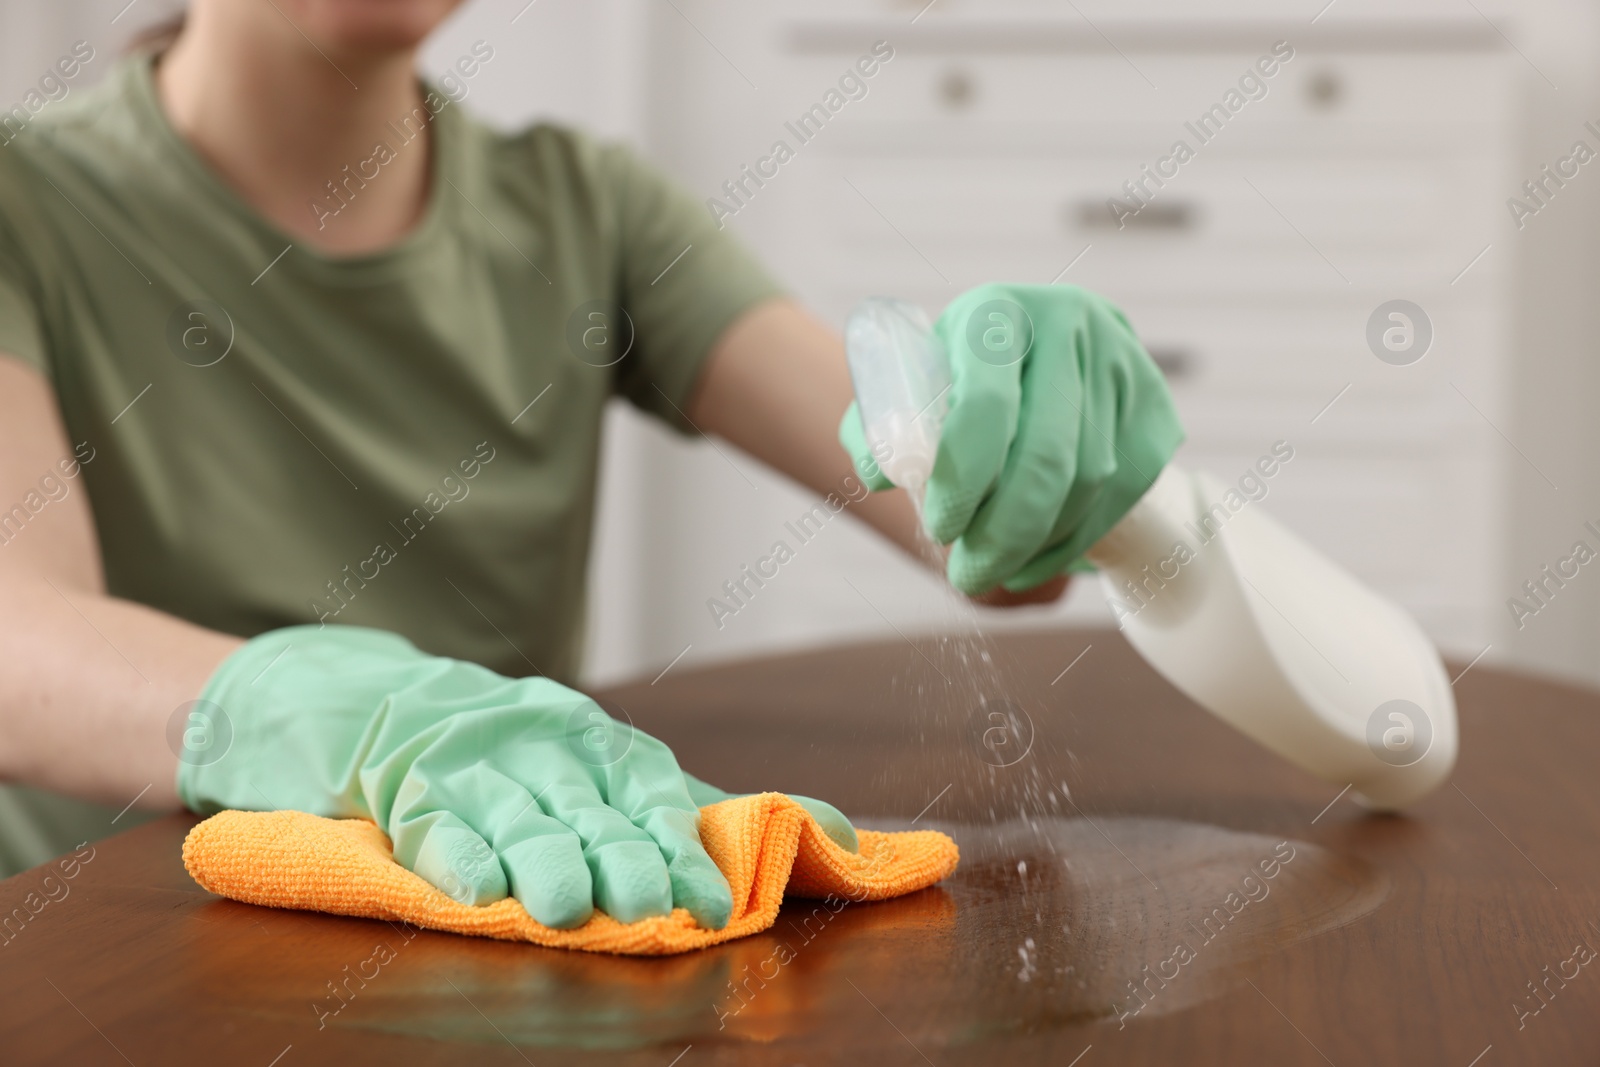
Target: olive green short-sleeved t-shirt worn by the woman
[{"x": 406, "y": 439}]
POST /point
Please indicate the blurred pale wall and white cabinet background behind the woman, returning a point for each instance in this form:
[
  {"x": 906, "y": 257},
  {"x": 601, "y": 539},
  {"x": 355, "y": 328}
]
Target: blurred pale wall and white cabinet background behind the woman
[{"x": 1382, "y": 164}]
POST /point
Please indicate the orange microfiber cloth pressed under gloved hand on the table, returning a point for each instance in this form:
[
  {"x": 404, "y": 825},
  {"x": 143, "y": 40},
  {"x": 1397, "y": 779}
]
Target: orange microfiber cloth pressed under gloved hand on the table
[{"x": 767, "y": 845}]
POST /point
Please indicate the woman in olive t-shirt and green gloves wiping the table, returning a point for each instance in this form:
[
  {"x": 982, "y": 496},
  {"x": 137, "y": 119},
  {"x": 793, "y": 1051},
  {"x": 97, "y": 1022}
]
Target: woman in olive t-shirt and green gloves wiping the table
[{"x": 300, "y": 410}]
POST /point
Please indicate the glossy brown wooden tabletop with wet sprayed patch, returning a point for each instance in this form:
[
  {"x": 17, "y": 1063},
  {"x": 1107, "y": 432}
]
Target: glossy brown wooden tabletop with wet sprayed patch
[{"x": 1138, "y": 885}]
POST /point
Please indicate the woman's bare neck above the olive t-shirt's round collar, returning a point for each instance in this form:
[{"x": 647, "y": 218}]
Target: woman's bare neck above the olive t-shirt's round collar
[{"x": 281, "y": 121}]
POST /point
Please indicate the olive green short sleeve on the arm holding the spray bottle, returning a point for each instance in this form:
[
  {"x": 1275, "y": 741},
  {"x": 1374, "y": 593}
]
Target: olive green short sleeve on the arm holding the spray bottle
[{"x": 682, "y": 282}]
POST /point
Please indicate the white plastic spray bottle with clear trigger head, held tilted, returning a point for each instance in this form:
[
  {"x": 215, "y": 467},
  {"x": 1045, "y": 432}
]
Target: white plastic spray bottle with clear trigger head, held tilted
[{"x": 1254, "y": 625}]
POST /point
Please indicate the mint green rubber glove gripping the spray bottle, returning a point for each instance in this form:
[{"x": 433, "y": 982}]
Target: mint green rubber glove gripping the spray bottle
[{"x": 1058, "y": 423}]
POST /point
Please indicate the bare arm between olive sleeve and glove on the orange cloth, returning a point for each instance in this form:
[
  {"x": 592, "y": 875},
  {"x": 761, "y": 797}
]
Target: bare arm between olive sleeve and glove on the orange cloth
[{"x": 87, "y": 682}]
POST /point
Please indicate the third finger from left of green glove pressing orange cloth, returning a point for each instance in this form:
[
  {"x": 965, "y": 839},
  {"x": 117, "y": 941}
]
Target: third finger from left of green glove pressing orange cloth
[{"x": 630, "y": 873}]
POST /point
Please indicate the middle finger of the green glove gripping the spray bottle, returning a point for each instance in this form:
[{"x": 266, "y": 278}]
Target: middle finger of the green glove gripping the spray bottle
[{"x": 1039, "y": 476}]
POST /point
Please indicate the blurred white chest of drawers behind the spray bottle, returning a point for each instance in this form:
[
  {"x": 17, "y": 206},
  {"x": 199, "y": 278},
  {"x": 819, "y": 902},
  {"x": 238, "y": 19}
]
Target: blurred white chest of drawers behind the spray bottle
[{"x": 1372, "y": 169}]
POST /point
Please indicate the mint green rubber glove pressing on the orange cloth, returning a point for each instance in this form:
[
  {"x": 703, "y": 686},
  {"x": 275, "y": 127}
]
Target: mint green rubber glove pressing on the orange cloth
[{"x": 487, "y": 786}]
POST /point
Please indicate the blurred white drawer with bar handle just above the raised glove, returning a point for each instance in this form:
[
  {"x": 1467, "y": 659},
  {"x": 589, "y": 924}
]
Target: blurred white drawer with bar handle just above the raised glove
[{"x": 1257, "y": 206}]
